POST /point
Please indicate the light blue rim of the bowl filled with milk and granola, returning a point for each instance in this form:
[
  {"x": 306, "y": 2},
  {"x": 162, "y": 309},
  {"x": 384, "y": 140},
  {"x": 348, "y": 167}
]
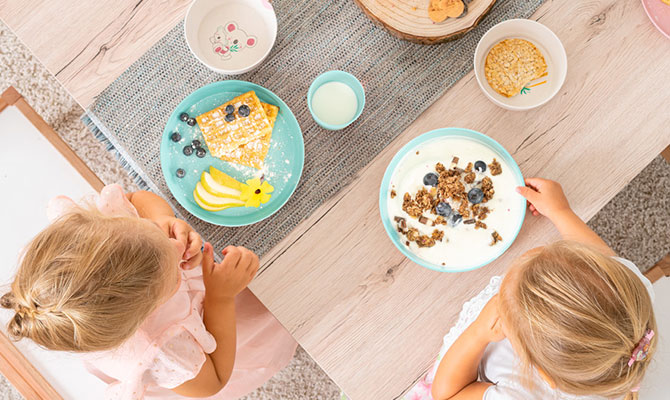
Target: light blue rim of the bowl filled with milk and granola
[{"x": 408, "y": 148}]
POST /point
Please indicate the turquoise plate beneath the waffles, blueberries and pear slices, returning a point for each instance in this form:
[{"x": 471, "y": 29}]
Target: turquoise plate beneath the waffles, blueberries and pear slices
[{"x": 298, "y": 157}]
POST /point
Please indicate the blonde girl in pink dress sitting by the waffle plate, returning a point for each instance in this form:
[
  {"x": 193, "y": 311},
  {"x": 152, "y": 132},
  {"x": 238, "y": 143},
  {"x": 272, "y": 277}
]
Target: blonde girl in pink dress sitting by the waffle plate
[{"x": 134, "y": 290}]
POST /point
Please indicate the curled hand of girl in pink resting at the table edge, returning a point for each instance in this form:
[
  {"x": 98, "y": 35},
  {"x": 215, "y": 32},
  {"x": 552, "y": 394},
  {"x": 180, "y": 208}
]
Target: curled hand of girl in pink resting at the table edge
[{"x": 224, "y": 281}]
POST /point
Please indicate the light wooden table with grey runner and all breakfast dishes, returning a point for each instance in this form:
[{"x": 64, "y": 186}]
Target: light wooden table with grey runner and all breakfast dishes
[{"x": 315, "y": 133}]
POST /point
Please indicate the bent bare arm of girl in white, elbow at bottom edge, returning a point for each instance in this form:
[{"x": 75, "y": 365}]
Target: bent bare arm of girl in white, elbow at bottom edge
[{"x": 456, "y": 376}]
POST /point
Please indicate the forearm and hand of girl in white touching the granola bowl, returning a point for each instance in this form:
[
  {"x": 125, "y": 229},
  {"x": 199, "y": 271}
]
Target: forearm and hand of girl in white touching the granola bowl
[{"x": 547, "y": 198}]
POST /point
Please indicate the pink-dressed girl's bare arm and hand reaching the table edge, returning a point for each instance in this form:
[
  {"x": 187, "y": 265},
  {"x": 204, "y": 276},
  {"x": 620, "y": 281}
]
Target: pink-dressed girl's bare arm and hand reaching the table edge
[{"x": 222, "y": 283}]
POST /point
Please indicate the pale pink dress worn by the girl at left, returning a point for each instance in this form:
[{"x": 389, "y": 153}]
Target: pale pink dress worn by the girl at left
[{"x": 170, "y": 346}]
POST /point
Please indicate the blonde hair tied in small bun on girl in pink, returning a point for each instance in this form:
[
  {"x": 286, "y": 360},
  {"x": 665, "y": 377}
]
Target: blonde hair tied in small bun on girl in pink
[{"x": 87, "y": 282}]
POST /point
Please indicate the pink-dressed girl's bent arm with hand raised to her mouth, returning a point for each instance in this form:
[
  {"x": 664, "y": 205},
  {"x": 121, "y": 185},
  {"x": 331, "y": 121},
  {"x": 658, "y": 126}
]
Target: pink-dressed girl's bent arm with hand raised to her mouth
[{"x": 154, "y": 208}]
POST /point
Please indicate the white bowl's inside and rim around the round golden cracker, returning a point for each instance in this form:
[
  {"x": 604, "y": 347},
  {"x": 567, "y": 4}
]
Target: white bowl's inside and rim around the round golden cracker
[{"x": 552, "y": 50}]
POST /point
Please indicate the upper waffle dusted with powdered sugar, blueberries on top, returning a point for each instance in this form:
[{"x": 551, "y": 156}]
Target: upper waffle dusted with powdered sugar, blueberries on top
[{"x": 222, "y": 136}]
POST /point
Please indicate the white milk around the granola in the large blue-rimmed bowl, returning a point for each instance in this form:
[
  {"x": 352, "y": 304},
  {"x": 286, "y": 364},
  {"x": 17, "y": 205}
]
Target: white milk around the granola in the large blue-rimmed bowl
[{"x": 466, "y": 247}]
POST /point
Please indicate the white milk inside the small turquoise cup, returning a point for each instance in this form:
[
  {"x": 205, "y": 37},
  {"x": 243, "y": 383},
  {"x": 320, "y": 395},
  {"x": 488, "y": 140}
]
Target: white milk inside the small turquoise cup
[{"x": 334, "y": 103}]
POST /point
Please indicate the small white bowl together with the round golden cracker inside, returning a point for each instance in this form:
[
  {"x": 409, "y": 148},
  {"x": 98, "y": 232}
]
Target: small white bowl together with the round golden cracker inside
[{"x": 520, "y": 64}]
